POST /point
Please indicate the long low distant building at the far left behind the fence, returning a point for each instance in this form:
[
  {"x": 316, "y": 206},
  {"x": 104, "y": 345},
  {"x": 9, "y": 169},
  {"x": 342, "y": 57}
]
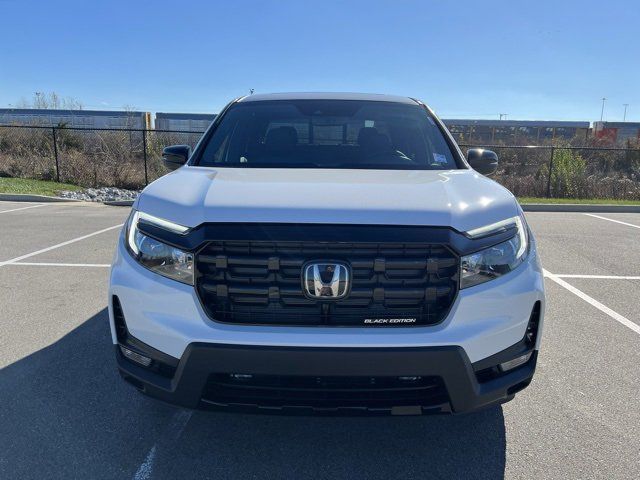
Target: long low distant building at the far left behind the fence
[{"x": 75, "y": 118}]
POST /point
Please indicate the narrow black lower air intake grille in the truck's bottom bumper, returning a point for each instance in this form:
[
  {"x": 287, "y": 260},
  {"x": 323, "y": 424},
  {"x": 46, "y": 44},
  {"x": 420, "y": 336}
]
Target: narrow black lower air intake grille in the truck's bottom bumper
[{"x": 324, "y": 393}]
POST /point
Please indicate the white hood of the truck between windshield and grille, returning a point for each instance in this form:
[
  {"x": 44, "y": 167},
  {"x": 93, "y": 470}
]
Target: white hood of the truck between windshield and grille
[{"x": 462, "y": 199}]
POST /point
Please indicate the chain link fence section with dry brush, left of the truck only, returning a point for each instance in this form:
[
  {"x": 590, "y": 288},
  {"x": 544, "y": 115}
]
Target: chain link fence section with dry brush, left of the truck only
[{"x": 97, "y": 157}]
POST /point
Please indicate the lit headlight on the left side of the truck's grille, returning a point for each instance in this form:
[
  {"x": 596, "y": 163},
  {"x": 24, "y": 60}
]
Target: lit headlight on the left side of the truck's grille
[{"x": 158, "y": 257}]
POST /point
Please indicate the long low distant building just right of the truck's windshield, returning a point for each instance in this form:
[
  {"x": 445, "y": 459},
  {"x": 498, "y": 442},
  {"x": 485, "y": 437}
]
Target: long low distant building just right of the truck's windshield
[{"x": 514, "y": 131}]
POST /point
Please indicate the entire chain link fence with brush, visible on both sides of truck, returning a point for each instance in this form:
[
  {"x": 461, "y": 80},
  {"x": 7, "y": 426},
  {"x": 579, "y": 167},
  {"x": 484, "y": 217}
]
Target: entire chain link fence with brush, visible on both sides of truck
[{"x": 131, "y": 158}]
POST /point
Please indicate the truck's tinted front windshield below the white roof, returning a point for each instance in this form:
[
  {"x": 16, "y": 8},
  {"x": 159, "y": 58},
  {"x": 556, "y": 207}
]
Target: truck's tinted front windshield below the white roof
[{"x": 327, "y": 134}]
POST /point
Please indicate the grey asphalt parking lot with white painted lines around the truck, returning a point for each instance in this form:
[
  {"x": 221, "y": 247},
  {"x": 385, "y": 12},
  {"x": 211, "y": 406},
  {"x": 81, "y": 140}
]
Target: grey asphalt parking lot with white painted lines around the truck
[{"x": 65, "y": 413}]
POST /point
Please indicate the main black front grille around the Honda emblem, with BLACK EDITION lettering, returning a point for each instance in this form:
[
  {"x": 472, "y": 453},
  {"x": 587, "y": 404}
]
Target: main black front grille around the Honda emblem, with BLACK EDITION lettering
[{"x": 259, "y": 282}]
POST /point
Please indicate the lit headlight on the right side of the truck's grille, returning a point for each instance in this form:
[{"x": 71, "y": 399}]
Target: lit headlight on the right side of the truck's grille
[{"x": 495, "y": 261}]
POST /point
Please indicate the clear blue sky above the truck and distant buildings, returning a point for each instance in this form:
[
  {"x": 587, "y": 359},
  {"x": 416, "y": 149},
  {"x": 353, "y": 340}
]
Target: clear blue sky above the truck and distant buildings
[{"x": 471, "y": 59}]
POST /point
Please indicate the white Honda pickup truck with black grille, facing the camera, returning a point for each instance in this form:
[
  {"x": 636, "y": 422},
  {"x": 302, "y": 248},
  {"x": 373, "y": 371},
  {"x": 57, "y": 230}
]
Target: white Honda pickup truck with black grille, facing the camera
[{"x": 327, "y": 253}]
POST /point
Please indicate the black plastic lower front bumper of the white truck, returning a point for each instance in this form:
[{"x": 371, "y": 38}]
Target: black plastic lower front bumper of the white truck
[{"x": 328, "y": 380}]
